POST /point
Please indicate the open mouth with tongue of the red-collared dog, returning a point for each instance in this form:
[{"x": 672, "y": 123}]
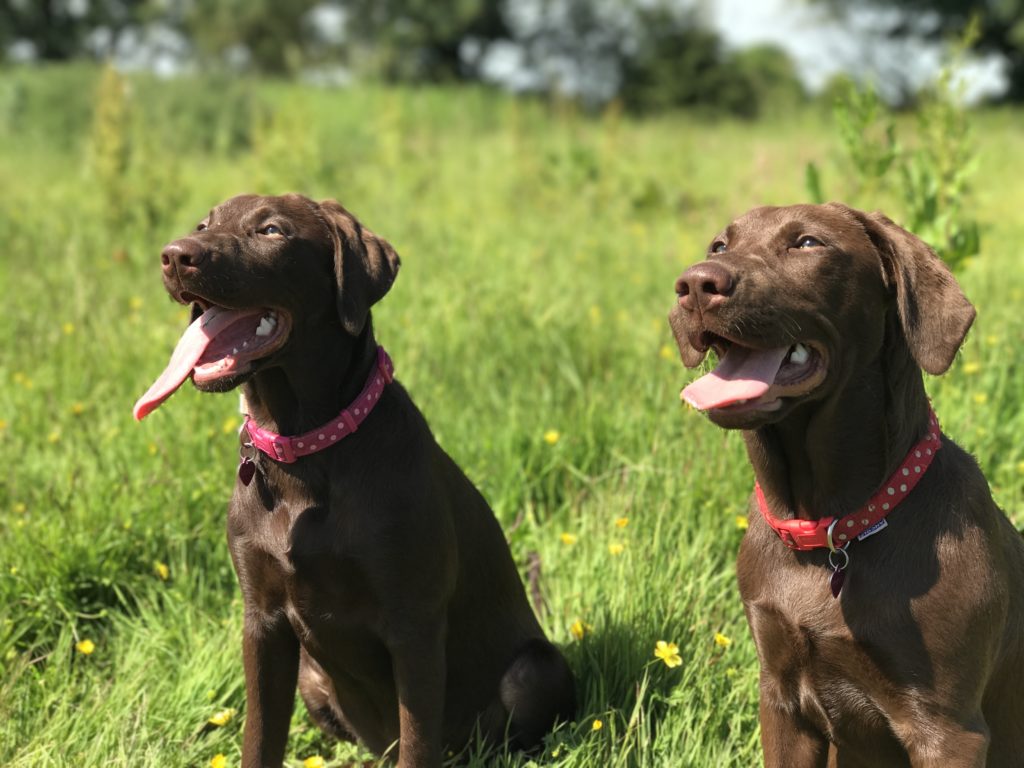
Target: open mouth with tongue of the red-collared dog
[{"x": 749, "y": 379}]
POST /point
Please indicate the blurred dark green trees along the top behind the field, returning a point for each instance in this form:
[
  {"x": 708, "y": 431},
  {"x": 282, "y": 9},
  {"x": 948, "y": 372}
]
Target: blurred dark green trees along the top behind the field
[{"x": 651, "y": 56}]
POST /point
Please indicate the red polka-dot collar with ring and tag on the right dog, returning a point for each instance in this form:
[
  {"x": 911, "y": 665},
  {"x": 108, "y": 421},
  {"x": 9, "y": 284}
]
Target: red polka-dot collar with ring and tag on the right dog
[{"x": 837, "y": 534}]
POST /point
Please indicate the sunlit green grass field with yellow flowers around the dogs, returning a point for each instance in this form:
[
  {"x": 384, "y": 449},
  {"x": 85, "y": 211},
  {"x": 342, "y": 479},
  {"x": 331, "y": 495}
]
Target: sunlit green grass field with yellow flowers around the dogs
[{"x": 539, "y": 251}]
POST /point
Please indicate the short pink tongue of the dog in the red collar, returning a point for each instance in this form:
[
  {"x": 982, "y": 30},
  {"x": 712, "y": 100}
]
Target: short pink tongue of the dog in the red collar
[{"x": 743, "y": 374}]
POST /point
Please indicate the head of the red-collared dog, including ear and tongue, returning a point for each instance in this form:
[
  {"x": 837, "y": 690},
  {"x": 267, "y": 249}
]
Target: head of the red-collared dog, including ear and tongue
[{"x": 796, "y": 301}]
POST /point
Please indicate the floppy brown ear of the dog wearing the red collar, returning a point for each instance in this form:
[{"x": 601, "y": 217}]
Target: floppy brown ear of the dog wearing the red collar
[{"x": 933, "y": 312}]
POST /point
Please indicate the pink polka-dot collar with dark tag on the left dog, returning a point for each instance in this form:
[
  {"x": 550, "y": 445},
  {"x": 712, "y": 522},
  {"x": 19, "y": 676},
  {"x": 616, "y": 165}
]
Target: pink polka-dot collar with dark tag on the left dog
[{"x": 289, "y": 450}]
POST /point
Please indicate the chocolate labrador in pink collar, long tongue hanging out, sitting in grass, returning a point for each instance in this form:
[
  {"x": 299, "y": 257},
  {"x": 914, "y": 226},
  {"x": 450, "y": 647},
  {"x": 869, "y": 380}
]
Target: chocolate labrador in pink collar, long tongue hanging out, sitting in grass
[{"x": 374, "y": 574}]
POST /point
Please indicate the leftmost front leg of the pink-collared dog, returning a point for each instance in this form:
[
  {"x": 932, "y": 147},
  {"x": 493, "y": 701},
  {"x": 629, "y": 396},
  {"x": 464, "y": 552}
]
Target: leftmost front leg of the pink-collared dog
[{"x": 271, "y": 654}]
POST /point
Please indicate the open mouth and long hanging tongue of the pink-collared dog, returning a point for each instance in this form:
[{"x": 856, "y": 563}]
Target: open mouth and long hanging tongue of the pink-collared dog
[{"x": 219, "y": 344}]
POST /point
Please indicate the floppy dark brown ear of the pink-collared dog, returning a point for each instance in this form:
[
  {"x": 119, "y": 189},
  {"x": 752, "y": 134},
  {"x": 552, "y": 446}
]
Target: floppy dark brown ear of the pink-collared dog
[{"x": 365, "y": 266}]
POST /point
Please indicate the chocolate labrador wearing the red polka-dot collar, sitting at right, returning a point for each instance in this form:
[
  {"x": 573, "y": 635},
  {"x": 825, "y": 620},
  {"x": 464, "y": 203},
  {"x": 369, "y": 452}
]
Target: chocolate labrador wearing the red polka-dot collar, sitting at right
[{"x": 884, "y": 588}]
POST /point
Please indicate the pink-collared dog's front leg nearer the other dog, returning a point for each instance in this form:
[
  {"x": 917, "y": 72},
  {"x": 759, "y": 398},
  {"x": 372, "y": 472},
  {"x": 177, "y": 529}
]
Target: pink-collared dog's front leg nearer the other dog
[{"x": 419, "y": 664}]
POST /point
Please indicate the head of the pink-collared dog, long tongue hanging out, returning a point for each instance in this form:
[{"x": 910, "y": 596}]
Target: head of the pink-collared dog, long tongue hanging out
[{"x": 259, "y": 271}]
